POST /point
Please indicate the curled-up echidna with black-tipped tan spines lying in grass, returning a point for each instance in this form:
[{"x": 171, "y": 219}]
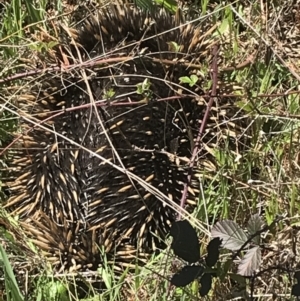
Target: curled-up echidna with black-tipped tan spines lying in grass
[{"x": 144, "y": 116}]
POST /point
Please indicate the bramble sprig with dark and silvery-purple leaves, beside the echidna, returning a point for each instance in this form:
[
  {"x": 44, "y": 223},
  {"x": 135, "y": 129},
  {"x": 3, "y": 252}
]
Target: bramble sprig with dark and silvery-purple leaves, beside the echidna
[{"x": 227, "y": 234}]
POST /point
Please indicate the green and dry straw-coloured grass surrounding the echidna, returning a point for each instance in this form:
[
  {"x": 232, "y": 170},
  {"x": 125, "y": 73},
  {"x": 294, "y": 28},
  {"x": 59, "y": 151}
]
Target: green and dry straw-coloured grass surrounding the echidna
[{"x": 265, "y": 178}]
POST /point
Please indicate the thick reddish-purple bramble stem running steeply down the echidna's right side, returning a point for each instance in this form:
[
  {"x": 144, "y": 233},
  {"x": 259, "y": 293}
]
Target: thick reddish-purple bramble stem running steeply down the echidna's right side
[{"x": 214, "y": 76}]
